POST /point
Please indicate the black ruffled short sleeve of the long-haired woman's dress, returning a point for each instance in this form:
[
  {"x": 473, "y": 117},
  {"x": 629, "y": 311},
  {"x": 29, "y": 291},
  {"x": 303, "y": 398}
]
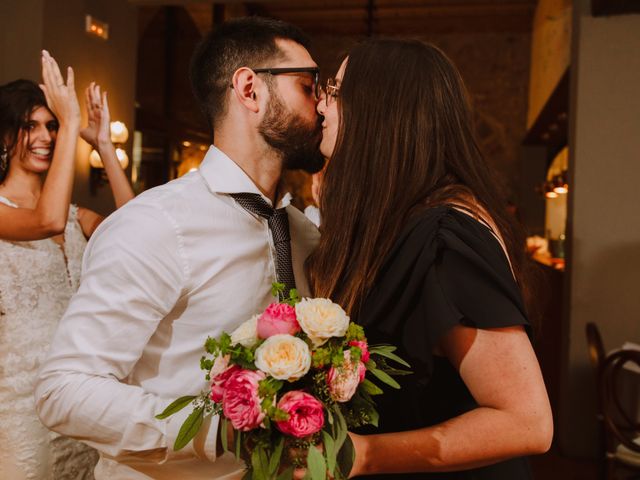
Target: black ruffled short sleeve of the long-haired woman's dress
[{"x": 446, "y": 269}]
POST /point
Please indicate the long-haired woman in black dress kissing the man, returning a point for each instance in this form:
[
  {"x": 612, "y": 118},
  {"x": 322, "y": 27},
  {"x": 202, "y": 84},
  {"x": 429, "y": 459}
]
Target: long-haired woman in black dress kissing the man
[{"x": 417, "y": 246}]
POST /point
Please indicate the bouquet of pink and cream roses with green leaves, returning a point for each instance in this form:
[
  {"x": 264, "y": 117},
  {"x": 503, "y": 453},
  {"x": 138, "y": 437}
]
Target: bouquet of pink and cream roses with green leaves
[{"x": 291, "y": 382}]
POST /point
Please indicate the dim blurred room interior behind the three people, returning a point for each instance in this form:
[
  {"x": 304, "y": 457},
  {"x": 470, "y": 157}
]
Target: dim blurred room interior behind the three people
[{"x": 555, "y": 90}]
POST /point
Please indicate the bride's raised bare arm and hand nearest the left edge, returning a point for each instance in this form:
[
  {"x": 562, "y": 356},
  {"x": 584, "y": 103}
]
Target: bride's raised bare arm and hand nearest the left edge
[{"x": 49, "y": 217}]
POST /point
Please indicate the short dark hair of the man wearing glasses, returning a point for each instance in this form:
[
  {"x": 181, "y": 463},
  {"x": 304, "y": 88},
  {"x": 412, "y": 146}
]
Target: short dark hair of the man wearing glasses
[{"x": 244, "y": 42}]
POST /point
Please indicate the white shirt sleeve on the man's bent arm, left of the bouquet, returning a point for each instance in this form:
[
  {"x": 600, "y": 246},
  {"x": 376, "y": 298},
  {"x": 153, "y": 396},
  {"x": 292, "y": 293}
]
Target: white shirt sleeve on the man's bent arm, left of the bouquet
[{"x": 134, "y": 271}]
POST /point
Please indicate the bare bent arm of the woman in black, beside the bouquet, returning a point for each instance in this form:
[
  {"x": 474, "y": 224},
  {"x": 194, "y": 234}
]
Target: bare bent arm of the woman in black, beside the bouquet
[{"x": 513, "y": 418}]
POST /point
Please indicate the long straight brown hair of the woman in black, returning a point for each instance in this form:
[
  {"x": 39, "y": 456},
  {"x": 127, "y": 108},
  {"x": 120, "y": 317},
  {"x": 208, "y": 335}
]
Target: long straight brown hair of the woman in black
[{"x": 405, "y": 143}]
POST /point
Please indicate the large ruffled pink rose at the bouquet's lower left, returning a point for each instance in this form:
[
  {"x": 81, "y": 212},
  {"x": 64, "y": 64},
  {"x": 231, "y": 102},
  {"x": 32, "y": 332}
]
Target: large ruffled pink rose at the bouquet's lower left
[{"x": 241, "y": 403}]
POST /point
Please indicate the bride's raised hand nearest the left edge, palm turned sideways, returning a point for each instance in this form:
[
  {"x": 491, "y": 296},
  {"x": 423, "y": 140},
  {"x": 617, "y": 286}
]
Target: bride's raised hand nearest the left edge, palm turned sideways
[{"x": 61, "y": 97}]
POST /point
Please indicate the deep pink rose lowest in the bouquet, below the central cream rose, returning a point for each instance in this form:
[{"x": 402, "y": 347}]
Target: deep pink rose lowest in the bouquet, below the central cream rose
[{"x": 306, "y": 414}]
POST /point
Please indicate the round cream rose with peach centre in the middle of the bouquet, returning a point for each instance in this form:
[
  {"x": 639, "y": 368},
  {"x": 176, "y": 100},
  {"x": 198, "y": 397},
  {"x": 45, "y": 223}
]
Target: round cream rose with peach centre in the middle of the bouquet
[{"x": 284, "y": 357}]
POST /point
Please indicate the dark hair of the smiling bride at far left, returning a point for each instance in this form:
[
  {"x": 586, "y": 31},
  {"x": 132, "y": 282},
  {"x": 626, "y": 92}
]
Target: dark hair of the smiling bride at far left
[{"x": 18, "y": 99}]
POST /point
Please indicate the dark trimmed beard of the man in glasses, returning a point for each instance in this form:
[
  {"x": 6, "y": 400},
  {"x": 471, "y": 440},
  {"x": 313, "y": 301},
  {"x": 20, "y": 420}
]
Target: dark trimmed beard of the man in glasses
[{"x": 297, "y": 141}]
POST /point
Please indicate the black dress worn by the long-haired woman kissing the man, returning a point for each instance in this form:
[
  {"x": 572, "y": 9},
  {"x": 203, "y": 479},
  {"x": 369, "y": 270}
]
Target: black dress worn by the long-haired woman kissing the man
[{"x": 445, "y": 269}]
